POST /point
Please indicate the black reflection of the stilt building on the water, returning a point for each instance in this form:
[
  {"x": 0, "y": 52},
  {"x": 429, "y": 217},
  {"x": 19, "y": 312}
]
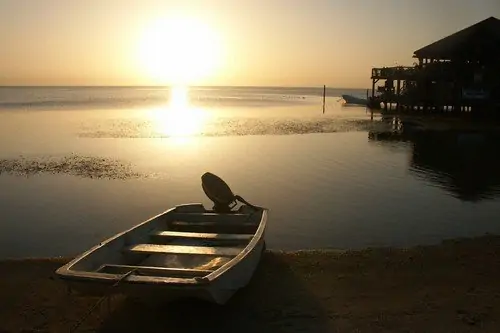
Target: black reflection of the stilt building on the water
[{"x": 464, "y": 163}]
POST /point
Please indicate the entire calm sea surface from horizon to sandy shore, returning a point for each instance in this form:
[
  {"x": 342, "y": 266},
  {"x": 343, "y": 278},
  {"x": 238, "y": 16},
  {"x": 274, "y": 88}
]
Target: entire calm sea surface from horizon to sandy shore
[{"x": 80, "y": 164}]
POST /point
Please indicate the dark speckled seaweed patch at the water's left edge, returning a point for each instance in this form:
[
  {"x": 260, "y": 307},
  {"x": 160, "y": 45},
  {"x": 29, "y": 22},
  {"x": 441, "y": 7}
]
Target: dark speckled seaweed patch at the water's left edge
[{"x": 76, "y": 165}]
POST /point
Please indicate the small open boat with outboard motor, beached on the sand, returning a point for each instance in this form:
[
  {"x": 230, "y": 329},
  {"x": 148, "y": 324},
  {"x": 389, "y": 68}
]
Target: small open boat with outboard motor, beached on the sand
[{"x": 188, "y": 251}]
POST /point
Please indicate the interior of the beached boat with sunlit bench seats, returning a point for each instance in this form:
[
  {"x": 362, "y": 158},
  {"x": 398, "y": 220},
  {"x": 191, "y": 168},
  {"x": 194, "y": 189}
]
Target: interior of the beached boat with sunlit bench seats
[{"x": 187, "y": 242}]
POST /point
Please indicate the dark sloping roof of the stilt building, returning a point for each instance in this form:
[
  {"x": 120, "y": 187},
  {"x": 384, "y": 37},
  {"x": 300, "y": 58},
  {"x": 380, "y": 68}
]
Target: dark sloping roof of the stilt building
[{"x": 479, "y": 40}]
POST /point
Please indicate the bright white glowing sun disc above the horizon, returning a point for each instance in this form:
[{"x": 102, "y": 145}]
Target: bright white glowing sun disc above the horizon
[{"x": 179, "y": 51}]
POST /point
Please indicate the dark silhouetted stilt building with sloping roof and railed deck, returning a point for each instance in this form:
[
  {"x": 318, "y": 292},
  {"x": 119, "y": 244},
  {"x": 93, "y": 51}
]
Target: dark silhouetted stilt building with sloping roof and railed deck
[{"x": 459, "y": 73}]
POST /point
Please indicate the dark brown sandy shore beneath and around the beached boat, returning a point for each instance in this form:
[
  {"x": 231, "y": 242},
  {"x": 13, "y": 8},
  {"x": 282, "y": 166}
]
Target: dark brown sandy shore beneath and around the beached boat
[{"x": 452, "y": 287}]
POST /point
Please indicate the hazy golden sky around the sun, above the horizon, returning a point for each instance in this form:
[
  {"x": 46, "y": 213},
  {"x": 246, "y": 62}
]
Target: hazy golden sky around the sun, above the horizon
[{"x": 259, "y": 42}]
